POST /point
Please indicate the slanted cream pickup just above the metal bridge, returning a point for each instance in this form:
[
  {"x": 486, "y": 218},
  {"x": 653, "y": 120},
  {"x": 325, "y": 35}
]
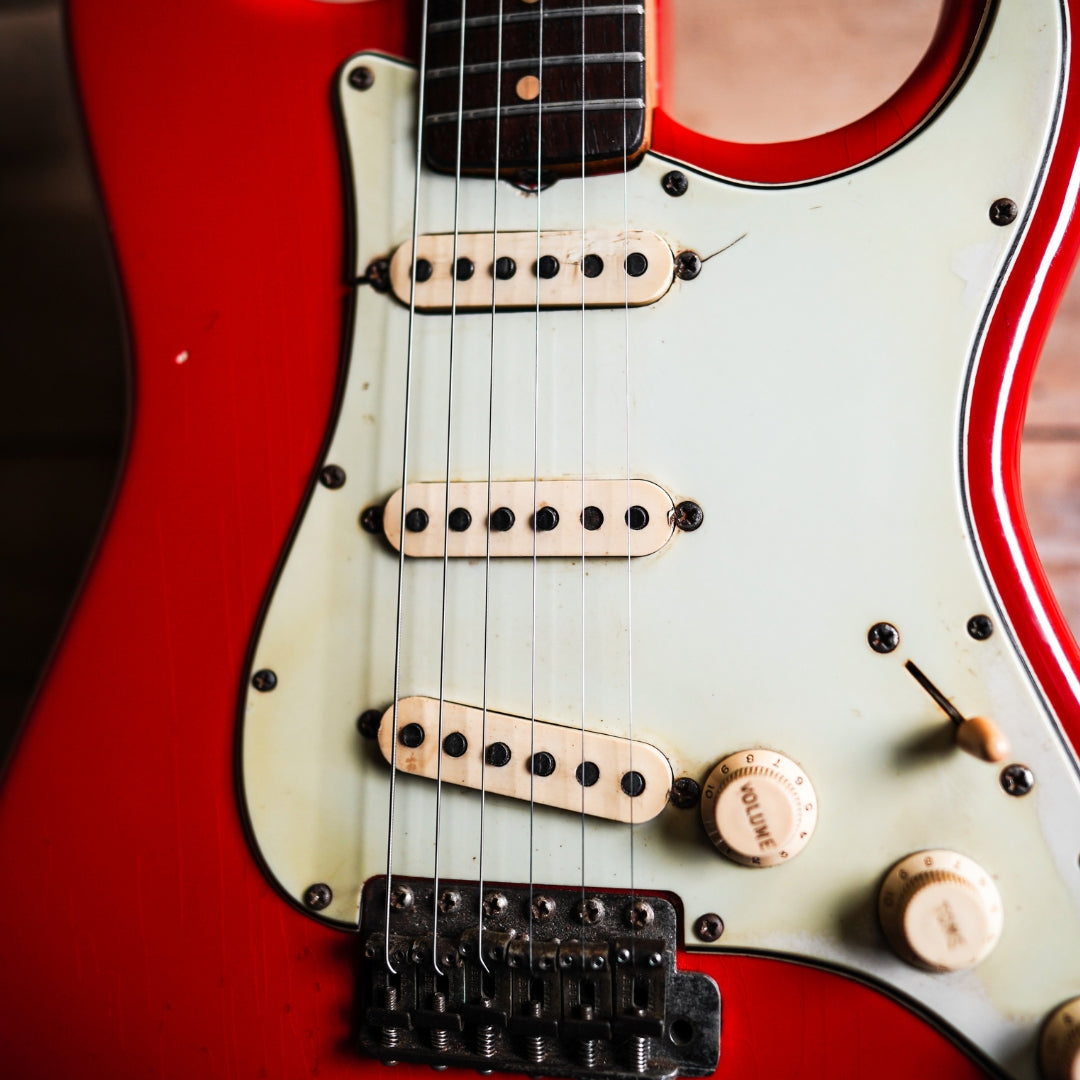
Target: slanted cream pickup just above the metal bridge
[{"x": 611, "y": 778}]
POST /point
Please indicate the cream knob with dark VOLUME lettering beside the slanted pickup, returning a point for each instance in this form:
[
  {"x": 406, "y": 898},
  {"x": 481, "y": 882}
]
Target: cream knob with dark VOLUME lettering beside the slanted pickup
[{"x": 759, "y": 807}]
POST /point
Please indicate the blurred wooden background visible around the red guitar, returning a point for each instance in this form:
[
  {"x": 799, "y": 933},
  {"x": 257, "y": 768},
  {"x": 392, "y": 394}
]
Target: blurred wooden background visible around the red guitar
[{"x": 753, "y": 71}]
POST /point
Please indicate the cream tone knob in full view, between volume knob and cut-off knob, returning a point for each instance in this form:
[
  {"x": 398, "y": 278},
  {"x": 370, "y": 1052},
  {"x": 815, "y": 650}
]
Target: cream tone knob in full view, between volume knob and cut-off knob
[{"x": 940, "y": 911}]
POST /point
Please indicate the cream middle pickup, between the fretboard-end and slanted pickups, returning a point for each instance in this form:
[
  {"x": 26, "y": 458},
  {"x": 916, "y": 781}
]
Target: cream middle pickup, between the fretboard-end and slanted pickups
[{"x": 568, "y": 519}]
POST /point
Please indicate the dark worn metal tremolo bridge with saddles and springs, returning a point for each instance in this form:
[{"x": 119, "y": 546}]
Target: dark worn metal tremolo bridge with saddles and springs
[{"x": 560, "y": 982}]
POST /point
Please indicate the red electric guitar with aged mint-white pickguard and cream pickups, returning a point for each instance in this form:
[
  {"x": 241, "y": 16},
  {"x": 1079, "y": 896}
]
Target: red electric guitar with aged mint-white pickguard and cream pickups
[{"x": 569, "y": 610}]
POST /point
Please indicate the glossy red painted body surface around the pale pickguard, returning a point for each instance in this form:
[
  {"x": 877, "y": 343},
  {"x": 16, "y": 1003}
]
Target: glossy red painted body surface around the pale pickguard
[{"x": 138, "y": 935}]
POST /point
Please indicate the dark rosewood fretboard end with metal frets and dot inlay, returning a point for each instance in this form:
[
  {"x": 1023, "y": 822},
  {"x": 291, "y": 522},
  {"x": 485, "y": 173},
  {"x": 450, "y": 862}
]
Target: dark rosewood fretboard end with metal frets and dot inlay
[{"x": 564, "y": 64}]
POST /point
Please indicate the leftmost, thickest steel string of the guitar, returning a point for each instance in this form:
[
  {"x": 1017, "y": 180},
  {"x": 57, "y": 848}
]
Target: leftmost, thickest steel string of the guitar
[{"x": 391, "y": 805}]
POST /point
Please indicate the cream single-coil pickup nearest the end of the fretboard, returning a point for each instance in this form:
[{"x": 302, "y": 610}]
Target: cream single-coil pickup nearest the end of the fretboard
[{"x": 564, "y": 269}]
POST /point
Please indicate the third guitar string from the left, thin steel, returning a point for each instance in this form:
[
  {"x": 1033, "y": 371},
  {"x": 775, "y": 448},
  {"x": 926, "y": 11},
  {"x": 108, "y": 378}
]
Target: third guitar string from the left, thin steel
[{"x": 488, "y": 532}]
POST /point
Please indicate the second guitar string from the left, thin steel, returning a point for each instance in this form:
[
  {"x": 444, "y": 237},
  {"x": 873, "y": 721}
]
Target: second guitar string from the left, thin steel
[{"x": 447, "y": 491}]
